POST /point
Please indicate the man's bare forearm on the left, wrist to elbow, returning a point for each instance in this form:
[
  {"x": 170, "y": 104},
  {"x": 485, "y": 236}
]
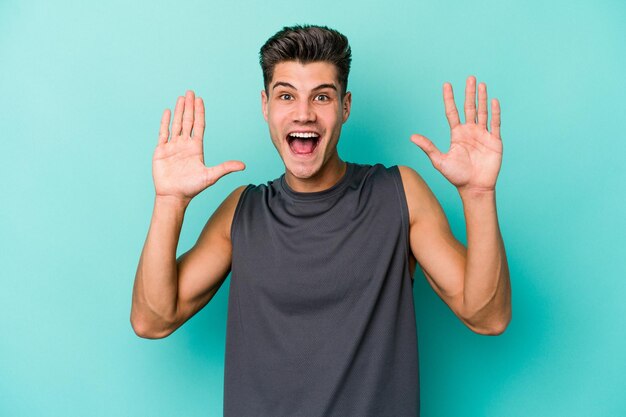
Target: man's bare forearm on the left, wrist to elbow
[{"x": 156, "y": 282}]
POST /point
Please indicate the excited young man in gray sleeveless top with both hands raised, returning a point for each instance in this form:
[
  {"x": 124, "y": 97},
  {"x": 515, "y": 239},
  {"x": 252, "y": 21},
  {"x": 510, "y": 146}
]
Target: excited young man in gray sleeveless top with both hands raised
[{"x": 320, "y": 315}]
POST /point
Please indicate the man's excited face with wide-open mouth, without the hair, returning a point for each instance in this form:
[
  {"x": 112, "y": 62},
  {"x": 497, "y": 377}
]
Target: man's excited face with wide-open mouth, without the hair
[{"x": 305, "y": 112}]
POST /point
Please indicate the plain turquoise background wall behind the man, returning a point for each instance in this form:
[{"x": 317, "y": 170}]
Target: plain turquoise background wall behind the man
[{"x": 82, "y": 89}]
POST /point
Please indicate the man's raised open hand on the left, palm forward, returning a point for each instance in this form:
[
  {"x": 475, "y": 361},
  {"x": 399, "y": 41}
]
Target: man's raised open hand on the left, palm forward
[{"x": 178, "y": 166}]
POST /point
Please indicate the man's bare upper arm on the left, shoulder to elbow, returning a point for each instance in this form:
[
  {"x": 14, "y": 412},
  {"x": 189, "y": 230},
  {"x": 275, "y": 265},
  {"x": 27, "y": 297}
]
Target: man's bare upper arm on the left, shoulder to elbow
[{"x": 203, "y": 269}]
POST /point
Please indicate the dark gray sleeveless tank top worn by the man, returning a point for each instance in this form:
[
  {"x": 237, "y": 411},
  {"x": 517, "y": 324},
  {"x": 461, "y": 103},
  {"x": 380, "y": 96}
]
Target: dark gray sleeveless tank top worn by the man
[{"x": 321, "y": 319}]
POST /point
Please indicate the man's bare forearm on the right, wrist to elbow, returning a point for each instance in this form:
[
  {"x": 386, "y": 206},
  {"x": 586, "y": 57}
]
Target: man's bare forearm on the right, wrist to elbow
[{"x": 486, "y": 290}]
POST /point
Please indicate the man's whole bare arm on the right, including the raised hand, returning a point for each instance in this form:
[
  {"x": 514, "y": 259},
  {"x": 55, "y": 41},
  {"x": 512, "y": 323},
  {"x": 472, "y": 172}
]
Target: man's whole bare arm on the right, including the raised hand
[{"x": 474, "y": 280}]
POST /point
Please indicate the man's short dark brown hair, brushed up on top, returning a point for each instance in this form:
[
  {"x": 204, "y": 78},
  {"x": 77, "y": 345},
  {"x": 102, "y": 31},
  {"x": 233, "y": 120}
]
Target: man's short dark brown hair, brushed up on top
[{"x": 306, "y": 44}]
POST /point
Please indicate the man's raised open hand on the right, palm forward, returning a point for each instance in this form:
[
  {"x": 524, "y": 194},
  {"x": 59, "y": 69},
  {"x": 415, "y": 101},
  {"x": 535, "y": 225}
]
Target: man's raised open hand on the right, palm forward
[{"x": 473, "y": 161}]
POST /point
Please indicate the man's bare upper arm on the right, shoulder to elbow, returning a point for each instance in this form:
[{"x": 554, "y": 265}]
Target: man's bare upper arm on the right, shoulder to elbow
[{"x": 440, "y": 255}]
